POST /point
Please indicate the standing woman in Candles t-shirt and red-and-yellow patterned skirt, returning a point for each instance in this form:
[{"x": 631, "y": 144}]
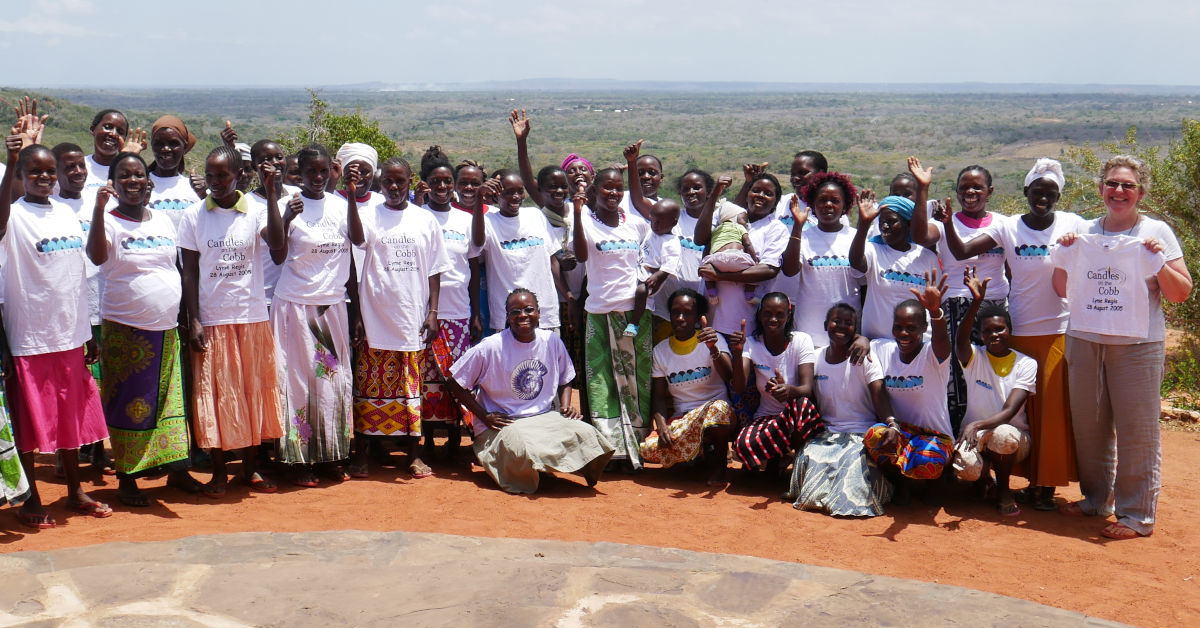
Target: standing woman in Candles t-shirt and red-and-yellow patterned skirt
[{"x": 399, "y": 301}]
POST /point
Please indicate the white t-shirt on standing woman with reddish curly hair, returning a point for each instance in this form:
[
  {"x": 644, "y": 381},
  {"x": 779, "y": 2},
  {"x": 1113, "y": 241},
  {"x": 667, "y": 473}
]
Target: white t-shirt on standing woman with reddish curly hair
[{"x": 826, "y": 279}]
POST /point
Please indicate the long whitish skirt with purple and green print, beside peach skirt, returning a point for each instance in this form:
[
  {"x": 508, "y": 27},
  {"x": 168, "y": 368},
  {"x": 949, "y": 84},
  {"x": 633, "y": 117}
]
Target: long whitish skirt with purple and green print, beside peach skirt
[{"x": 314, "y": 354}]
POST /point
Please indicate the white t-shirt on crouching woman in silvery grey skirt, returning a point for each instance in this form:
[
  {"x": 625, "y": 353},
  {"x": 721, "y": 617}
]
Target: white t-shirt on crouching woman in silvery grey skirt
[{"x": 844, "y": 397}]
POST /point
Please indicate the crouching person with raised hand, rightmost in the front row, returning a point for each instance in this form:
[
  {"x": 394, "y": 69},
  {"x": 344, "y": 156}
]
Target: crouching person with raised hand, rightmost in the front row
[{"x": 995, "y": 432}]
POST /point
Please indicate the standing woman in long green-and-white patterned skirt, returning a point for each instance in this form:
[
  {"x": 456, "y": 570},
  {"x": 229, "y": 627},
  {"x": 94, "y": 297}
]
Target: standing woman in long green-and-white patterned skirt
[{"x": 619, "y": 367}]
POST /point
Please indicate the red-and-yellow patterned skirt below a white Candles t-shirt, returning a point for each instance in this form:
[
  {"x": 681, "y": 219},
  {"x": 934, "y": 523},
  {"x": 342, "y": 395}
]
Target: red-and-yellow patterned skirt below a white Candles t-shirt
[{"x": 388, "y": 393}]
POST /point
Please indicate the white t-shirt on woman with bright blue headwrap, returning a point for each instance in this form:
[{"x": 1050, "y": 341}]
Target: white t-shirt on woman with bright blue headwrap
[{"x": 890, "y": 277}]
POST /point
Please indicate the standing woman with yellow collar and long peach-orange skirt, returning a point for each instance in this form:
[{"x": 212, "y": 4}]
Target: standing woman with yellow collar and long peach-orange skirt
[{"x": 236, "y": 392}]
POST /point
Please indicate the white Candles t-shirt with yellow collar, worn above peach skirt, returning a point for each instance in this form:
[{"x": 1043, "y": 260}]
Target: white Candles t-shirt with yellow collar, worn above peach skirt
[{"x": 231, "y": 247}]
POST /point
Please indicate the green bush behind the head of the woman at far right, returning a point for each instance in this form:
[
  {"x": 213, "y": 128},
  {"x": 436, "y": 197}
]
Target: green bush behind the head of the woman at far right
[{"x": 1174, "y": 198}]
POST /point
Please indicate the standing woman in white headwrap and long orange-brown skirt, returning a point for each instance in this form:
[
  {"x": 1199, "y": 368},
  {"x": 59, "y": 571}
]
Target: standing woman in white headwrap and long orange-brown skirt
[{"x": 1040, "y": 322}]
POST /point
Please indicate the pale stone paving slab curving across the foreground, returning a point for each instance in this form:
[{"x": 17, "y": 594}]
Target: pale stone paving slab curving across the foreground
[{"x": 352, "y": 578}]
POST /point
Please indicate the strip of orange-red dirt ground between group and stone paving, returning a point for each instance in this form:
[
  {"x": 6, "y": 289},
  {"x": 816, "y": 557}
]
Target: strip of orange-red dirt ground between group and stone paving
[{"x": 1039, "y": 557}]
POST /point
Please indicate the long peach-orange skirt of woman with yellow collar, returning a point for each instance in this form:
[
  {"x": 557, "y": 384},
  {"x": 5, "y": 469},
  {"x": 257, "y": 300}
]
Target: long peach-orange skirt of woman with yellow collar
[{"x": 236, "y": 398}]
